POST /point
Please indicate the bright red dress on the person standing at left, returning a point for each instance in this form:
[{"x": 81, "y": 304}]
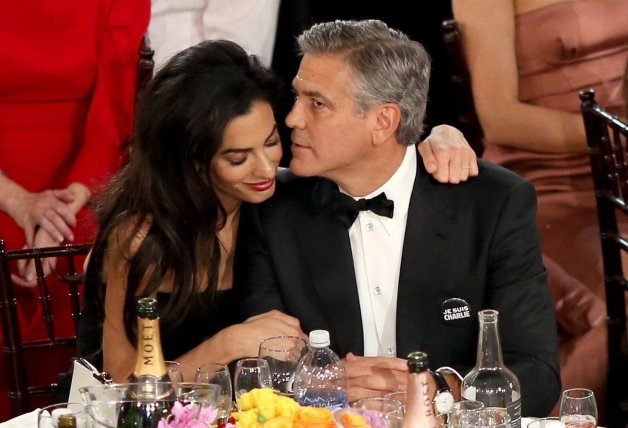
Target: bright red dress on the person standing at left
[{"x": 67, "y": 88}]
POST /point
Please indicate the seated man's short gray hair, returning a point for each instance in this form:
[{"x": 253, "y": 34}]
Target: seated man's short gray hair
[{"x": 389, "y": 67}]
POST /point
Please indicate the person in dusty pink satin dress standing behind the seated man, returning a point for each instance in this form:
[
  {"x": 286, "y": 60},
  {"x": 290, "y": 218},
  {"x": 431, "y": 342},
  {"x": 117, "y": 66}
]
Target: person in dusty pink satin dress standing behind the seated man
[{"x": 528, "y": 59}]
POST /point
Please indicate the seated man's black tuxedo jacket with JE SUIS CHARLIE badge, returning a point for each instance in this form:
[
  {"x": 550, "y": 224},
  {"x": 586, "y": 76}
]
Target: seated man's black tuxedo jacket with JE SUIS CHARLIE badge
[{"x": 476, "y": 241}]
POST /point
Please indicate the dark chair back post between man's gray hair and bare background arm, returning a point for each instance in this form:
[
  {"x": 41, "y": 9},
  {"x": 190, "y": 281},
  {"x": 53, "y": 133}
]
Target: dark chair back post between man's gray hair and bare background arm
[{"x": 463, "y": 104}]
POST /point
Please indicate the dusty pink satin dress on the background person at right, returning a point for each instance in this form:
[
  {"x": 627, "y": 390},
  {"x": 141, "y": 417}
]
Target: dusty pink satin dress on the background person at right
[{"x": 561, "y": 49}]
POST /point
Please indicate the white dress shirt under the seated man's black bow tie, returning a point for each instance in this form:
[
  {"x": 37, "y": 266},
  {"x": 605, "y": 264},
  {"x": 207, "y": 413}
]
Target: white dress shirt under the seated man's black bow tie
[{"x": 376, "y": 244}]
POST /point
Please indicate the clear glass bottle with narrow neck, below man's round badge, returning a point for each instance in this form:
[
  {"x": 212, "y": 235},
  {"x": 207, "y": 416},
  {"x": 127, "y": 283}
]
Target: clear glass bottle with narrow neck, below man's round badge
[{"x": 490, "y": 381}]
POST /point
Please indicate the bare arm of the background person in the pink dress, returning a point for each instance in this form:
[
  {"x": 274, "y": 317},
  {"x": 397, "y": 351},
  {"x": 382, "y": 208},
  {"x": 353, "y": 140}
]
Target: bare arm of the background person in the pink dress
[{"x": 488, "y": 29}]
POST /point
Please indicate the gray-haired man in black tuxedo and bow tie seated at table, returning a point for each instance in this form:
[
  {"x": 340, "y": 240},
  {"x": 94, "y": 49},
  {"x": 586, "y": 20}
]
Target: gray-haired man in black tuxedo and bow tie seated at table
[{"x": 361, "y": 241}]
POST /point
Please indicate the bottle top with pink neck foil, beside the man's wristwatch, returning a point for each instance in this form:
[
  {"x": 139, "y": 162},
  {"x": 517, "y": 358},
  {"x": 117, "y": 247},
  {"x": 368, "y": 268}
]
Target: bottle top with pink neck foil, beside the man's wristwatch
[{"x": 419, "y": 410}]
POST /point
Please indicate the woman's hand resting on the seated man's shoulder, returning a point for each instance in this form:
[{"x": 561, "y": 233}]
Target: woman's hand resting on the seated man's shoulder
[{"x": 448, "y": 156}]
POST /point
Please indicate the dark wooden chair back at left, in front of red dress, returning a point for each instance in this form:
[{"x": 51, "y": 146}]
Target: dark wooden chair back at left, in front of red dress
[{"x": 16, "y": 348}]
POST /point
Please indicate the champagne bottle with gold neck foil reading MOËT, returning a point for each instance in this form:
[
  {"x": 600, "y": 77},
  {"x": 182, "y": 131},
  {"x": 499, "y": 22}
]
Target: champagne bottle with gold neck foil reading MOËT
[{"x": 151, "y": 394}]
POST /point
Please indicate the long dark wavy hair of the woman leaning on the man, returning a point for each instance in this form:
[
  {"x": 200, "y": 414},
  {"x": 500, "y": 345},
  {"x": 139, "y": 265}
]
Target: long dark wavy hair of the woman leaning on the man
[{"x": 179, "y": 127}]
